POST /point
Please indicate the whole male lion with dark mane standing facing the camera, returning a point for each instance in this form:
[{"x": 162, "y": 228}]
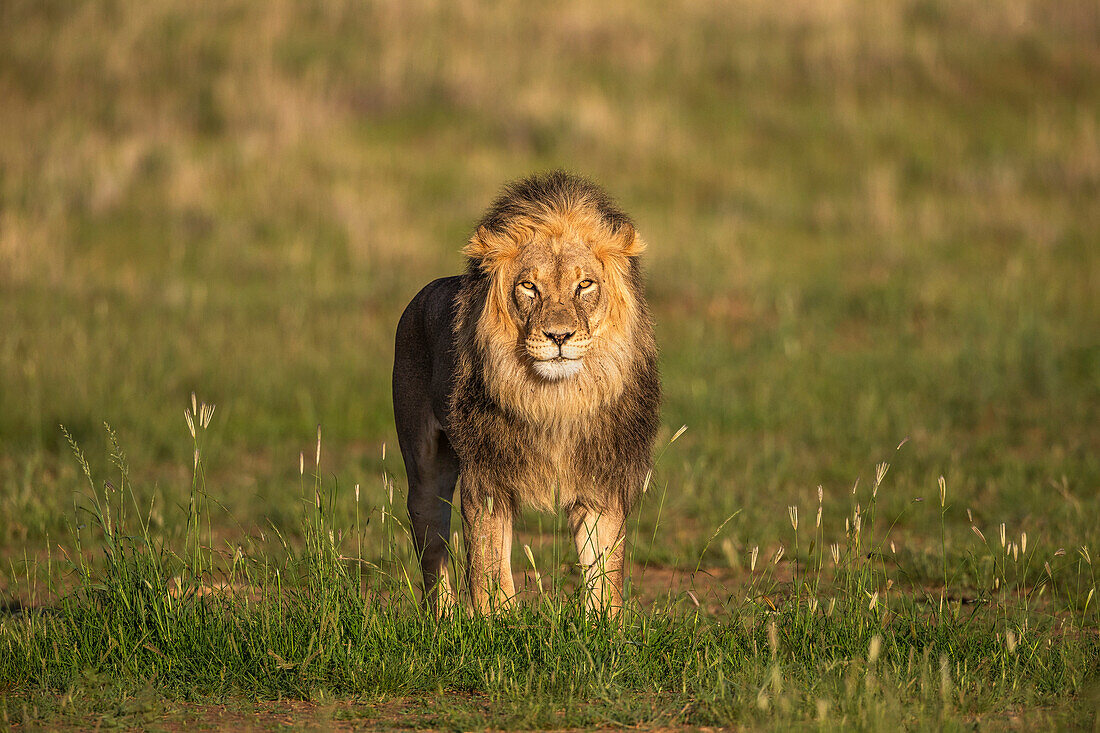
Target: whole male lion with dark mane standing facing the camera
[{"x": 534, "y": 377}]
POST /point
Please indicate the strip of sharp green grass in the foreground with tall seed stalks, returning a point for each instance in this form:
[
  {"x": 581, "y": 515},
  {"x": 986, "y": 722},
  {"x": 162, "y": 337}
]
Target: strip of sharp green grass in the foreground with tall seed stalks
[{"x": 840, "y": 642}]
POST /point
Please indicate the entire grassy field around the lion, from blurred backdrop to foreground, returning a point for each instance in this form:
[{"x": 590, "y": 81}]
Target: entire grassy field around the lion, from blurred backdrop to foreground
[{"x": 874, "y": 239}]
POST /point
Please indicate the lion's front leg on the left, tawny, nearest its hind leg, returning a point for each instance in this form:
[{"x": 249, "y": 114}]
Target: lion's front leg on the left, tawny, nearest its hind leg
[{"x": 487, "y": 528}]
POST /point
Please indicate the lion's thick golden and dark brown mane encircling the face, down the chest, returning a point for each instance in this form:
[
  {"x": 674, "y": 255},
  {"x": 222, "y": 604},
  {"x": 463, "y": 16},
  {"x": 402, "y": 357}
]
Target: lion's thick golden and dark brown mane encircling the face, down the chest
[{"x": 599, "y": 425}]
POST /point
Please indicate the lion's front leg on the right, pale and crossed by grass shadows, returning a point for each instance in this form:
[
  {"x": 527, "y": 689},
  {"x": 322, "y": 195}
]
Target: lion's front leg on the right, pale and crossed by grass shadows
[{"x": 600, "y": 540}]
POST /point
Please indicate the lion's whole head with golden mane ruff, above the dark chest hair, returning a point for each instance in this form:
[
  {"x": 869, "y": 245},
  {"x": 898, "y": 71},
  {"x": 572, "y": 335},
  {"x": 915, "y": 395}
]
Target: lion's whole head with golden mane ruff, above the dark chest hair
[{"x": 560, "y": 323}]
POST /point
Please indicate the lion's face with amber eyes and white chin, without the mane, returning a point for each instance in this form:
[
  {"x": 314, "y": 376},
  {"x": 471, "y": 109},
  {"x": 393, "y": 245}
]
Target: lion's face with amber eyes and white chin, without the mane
[{"x": 558, "y": 303}]
